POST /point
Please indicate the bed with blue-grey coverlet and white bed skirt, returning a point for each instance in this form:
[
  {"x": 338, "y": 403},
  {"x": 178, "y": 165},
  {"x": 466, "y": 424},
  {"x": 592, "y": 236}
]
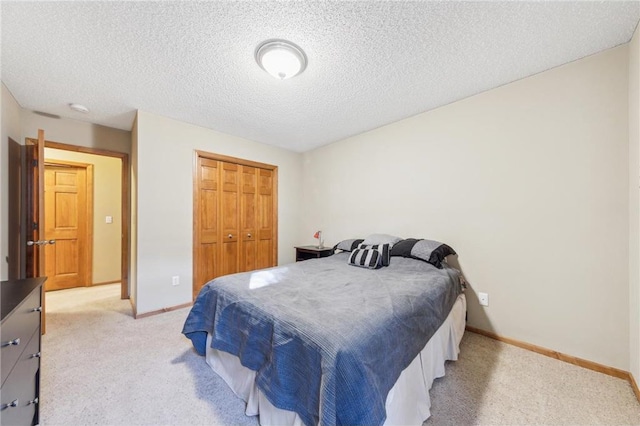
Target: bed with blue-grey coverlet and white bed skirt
[{"x": 326, "y": 342}]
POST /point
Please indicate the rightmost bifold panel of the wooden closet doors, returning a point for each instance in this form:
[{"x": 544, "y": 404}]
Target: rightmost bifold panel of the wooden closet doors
[{"x": 266, "y": 249}]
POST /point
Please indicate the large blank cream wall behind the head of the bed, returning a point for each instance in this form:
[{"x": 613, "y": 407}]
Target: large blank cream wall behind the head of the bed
[{"x": 528, "y": 182}]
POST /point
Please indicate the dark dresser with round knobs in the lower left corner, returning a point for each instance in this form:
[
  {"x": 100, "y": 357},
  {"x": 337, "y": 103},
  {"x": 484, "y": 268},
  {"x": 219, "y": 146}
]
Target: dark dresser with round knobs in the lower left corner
[{"x": 20, "y": 364}]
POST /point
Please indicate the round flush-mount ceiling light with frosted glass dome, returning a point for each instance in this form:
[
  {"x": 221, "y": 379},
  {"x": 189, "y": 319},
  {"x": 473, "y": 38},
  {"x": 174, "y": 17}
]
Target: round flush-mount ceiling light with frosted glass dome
[{"x": 281, "y": 58}]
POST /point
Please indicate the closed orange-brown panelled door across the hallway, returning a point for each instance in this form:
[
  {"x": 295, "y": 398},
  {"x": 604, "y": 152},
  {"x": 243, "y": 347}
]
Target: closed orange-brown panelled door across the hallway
[{"x": 67, "y": 219}]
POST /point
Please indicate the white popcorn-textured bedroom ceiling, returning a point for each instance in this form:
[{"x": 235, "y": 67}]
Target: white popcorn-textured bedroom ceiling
[{"x": 370, "y": 63}]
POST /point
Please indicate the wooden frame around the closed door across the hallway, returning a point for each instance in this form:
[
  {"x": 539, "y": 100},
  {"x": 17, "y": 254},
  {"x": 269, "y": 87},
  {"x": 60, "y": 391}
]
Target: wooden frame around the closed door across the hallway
[{"x": 88, "y": 270}]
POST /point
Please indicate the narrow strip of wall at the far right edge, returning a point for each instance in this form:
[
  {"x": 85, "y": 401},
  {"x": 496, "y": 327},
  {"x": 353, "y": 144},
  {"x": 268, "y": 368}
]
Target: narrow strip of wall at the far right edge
[{"x": 634, "y": 205}]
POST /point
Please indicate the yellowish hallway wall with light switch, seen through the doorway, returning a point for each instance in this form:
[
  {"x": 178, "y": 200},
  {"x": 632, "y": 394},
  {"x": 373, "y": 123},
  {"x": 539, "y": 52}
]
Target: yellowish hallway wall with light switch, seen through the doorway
[{"x": 107, "y": 201}]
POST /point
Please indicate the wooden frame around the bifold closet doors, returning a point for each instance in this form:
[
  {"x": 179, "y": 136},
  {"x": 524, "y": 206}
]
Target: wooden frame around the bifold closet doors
[{"x": 196, "y": 216}]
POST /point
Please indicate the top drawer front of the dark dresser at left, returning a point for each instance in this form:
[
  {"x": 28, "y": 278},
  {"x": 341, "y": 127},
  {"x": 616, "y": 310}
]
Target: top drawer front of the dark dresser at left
[{"x": 20, "y": 325}]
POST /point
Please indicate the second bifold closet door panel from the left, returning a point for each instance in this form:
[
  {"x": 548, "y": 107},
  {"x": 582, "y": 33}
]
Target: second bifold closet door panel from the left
[{"x": 229, "y": 216}]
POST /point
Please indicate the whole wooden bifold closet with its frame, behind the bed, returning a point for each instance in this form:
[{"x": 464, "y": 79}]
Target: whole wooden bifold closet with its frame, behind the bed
[{"x": 235, "y": 217}]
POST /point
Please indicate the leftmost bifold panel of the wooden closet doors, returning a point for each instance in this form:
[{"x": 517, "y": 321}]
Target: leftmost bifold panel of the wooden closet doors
[{"x": 207, "y": 236}]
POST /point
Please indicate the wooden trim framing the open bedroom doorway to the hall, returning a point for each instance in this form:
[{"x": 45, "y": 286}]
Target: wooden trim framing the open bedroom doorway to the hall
[{"x": 125, "y": 211}]
